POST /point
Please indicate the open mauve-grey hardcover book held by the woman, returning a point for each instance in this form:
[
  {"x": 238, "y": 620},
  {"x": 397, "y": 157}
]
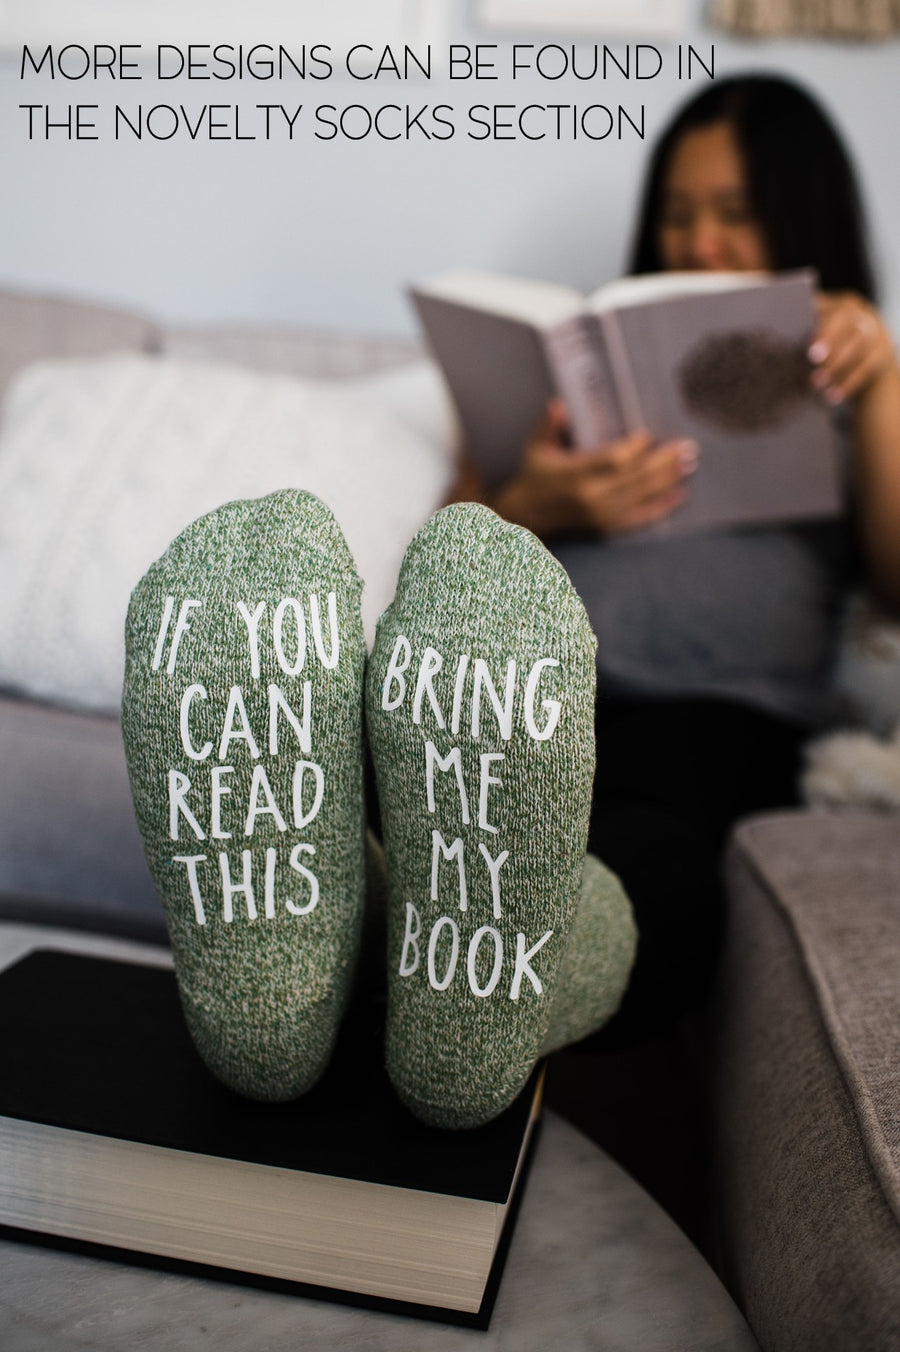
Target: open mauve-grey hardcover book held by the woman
[{"x": 718, "y": 358}]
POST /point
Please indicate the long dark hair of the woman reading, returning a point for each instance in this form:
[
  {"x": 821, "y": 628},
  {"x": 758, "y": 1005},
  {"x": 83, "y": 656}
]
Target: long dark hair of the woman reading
[{"x": 801, "y": 182}]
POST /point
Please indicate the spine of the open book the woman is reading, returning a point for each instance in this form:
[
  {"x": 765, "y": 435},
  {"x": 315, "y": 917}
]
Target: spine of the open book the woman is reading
[{"x": 583, "y": 375}]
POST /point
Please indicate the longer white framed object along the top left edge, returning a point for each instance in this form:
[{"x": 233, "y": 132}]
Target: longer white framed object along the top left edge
[{"x": 209, "y": 22}]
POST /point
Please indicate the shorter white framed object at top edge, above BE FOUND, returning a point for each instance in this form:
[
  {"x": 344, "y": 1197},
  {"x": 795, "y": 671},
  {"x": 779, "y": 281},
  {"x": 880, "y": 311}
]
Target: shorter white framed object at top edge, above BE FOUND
[{"x": 641, "y": 18}]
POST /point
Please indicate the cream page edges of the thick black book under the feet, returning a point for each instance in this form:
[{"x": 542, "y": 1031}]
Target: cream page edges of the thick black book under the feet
[{"x": 368, "y": 1238}]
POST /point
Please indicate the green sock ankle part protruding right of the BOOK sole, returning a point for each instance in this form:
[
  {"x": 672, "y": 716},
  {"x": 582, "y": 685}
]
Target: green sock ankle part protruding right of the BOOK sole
[{"x": 598, "y": 961}]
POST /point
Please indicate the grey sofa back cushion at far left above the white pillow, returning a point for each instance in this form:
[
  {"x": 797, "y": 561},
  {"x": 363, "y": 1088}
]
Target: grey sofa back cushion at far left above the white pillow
[{"x": 40, "y": 328}]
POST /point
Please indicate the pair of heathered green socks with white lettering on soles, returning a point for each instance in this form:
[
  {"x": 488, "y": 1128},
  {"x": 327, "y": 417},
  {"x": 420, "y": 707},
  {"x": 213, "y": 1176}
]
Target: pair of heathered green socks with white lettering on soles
[{"x": 243, "y": 716}]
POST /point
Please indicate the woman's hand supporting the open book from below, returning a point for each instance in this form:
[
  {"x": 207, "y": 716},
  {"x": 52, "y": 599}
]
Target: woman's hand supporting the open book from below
[{"x": 610, "y": 490}]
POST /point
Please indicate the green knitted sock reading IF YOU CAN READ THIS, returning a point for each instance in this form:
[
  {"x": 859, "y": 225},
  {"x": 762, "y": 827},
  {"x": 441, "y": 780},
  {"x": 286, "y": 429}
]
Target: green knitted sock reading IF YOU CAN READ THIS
[{"x": 243, "y": 721}]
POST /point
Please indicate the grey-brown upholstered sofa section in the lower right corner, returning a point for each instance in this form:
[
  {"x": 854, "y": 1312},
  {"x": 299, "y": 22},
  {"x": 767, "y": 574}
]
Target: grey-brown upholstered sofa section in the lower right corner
[{"x": 809, "y": 1082}]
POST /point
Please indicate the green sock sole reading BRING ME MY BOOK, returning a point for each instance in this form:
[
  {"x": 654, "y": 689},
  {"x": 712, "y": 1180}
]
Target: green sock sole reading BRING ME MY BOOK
[{"x": 476, "y": 587}]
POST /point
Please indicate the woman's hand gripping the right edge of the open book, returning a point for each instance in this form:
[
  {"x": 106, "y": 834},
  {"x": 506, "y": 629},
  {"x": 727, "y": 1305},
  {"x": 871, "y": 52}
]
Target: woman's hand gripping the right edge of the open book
[{"x": 852, "y": 348}]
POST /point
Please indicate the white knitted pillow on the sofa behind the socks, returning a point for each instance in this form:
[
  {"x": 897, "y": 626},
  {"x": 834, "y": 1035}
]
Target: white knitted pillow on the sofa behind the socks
[{"x": 105, "y": 462}]
